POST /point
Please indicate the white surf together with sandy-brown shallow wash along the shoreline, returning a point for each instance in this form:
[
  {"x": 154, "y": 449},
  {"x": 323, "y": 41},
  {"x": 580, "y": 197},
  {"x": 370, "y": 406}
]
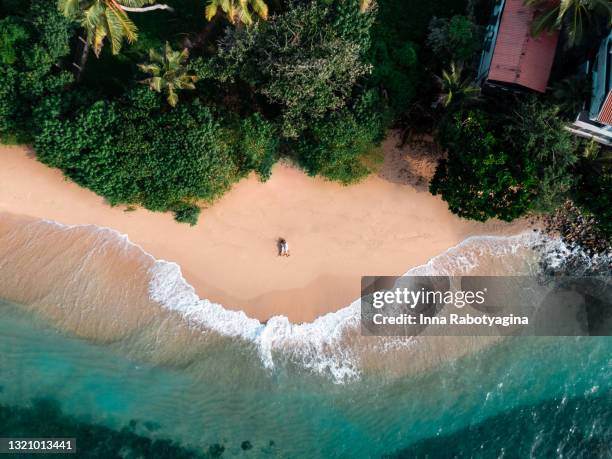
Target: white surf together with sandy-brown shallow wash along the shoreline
[{"x": 94, "y": 282}]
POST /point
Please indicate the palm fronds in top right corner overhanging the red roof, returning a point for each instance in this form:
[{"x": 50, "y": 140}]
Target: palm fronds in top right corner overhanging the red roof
[{"x": 577, "y": 15}]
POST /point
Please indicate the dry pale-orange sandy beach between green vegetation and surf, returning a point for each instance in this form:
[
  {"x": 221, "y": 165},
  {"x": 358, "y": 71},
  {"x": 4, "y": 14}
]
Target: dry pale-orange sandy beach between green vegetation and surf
[{"x": 382, "y": 226}]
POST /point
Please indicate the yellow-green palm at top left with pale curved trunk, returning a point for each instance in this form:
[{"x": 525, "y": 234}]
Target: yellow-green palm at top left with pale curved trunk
[{"x": 107, "y": 19}]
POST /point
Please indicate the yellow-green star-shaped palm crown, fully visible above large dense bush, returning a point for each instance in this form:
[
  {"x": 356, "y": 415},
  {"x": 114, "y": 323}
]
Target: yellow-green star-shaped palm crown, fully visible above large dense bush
[{"x": 169, "y": 72}]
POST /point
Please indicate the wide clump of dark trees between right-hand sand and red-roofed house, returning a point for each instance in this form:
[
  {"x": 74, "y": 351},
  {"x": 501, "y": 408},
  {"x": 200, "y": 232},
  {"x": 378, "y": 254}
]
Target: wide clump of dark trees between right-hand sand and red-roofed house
[{"x": 524, "y": 163}]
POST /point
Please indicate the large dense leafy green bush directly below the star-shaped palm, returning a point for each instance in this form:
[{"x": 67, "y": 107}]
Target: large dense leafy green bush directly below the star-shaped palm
[{"x": 131, "y": 153}]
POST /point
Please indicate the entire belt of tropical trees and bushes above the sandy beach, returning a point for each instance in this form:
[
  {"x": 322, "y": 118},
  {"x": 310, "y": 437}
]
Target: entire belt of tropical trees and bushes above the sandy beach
[{"x": 179, "y": 100}]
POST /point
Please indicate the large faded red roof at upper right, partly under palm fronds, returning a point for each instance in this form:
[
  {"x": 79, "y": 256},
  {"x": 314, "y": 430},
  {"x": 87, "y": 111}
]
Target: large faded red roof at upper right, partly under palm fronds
[{"x": 519, "y": 57}]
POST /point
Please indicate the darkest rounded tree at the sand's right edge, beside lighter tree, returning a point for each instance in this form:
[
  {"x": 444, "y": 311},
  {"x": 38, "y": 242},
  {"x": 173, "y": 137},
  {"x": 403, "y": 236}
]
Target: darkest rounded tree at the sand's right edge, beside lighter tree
[{"x": 481, "y": 179}]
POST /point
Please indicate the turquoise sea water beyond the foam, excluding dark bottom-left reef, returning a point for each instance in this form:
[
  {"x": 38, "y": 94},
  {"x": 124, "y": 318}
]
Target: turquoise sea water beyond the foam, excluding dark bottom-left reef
[{"x": 527, "y": 397}]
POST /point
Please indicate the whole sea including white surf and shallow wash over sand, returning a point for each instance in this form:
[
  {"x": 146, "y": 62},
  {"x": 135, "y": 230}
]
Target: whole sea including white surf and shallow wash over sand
[{"x": 175, "y": 376}]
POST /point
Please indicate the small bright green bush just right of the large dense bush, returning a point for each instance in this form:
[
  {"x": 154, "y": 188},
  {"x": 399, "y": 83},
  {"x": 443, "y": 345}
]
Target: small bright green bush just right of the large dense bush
[{"x": 257, "y": 148}]
